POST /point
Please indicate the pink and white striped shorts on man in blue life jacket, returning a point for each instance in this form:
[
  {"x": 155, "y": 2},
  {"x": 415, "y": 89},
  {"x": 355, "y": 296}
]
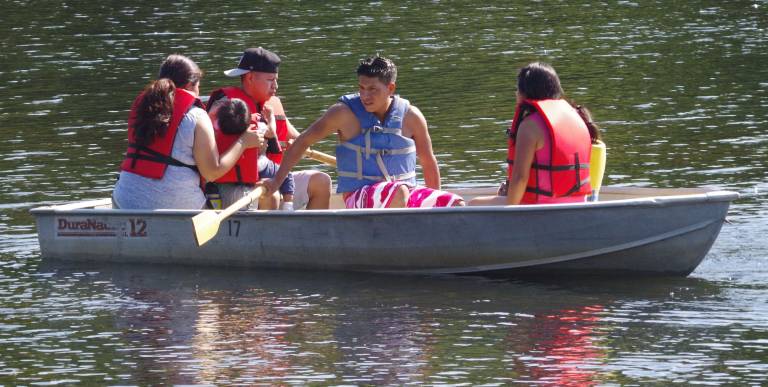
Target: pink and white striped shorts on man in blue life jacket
[{"x": 379, "y": 195}]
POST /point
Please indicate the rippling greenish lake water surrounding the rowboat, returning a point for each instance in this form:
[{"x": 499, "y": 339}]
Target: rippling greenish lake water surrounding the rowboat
[{"x": 681, "y": 90}]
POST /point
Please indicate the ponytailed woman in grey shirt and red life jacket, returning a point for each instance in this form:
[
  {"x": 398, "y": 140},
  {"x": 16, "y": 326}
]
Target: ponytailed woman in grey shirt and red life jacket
[{"x": 171, "y": 143}]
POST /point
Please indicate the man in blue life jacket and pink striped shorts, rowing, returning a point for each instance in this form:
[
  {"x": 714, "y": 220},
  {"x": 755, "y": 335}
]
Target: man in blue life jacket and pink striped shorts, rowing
[{"x": 381, "y": 137}]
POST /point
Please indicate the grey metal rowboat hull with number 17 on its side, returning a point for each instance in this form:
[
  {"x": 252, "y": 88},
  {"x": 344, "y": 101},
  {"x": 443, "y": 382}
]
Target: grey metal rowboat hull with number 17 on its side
[{"x": 657, "y": 235}]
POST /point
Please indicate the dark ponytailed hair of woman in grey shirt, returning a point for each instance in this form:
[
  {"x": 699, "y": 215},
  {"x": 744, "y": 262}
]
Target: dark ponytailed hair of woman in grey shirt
[{"x": 155, "y": 109}]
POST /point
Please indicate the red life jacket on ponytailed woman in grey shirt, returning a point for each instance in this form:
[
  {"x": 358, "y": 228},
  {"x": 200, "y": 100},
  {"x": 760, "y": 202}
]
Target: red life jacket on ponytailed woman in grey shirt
[{"x": 152, "y": 160}]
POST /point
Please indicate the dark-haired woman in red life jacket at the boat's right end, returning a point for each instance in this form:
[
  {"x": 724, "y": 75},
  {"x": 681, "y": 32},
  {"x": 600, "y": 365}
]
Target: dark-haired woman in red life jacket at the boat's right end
[{"x": 549, "y": 144}]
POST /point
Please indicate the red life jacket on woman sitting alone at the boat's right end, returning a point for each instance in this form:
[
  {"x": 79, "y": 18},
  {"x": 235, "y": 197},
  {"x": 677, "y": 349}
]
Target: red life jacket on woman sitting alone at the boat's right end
[{"x": 568, "y": 170}]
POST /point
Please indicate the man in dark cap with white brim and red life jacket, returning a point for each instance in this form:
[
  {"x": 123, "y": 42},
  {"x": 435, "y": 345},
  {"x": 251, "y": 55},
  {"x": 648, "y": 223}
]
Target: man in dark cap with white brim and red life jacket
[{"x": 258, "y": 72}]
